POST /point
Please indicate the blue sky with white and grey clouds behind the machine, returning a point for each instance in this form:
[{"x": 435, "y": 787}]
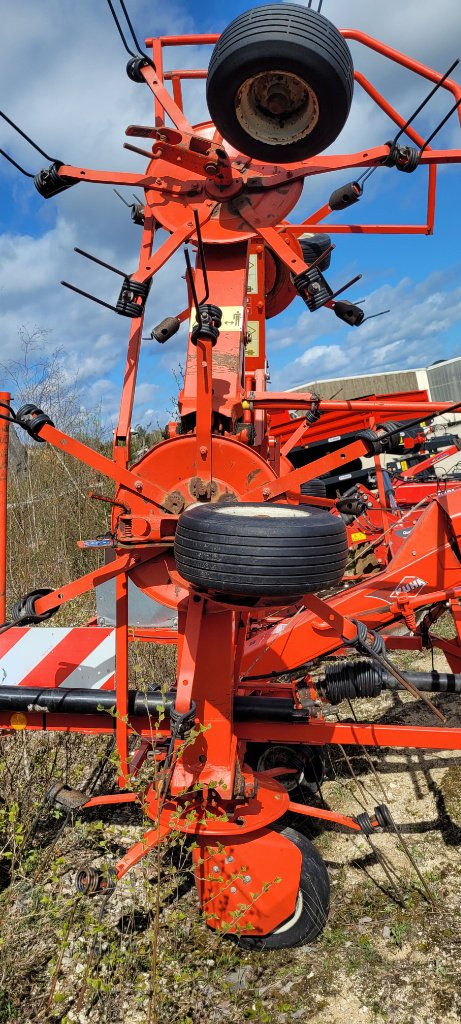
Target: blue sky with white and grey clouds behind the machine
[{"x": 64, "y": 81}]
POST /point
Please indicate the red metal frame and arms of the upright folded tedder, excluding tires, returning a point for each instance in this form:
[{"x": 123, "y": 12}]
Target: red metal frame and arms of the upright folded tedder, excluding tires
[{"x": 224, "y": 401}]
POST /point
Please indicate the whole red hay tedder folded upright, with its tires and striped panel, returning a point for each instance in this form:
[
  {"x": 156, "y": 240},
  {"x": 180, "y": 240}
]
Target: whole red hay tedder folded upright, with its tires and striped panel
[{"x": 213, "y": 524}]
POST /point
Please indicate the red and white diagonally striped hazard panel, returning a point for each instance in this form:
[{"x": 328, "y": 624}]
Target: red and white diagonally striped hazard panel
[{"x": 80, "y": 658}]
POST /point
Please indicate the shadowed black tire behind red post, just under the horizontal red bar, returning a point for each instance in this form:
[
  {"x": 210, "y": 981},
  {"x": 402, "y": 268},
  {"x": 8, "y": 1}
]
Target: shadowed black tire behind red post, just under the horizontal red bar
[{"x": 310, "y": 761}]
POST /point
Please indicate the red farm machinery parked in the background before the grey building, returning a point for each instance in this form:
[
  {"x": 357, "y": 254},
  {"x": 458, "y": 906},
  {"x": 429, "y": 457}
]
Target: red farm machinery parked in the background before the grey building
[{"x": 380, "y": 503}]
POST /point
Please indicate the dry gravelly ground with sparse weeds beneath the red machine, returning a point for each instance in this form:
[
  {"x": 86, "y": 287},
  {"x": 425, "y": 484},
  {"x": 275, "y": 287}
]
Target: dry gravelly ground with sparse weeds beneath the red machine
[{"x": 390, "y": 951}]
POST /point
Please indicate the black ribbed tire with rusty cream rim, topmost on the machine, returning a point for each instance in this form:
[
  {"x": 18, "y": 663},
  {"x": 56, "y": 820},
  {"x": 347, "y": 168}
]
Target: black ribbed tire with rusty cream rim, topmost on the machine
[{"x": 290, "y": 40}]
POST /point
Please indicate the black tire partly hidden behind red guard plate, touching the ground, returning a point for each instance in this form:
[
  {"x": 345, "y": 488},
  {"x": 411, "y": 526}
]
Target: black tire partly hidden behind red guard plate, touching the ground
[{"x": 313, "y": 907}]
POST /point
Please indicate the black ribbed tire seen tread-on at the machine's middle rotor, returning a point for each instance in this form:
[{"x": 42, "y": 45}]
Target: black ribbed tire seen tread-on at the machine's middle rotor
[{"x": 261, "y": 550}]
